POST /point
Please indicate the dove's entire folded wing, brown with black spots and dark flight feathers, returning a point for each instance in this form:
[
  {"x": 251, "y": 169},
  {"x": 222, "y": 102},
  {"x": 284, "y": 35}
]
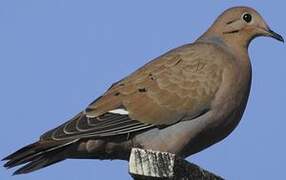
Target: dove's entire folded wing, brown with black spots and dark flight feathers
[{"x": 177, "y": 85}]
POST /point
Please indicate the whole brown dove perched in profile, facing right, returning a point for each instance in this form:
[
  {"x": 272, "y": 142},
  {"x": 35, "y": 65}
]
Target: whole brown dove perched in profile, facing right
[{"x": 181, "y": 102}]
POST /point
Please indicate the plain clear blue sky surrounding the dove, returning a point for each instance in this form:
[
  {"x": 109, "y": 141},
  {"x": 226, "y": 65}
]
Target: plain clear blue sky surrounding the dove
[{"x": 56, "y": 56}]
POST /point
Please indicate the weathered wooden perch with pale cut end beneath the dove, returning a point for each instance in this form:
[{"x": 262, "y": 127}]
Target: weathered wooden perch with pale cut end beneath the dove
[{"x": 155, "y": 165}]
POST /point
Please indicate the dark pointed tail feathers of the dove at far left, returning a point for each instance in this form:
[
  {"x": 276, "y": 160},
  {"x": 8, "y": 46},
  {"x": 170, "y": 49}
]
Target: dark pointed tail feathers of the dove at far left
[{"x": 38, "y": 155}]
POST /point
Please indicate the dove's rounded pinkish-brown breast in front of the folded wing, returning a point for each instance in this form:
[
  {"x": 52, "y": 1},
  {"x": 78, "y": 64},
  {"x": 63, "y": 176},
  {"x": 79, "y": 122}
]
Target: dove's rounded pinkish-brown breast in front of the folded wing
[{"x": 231, "y": 99}]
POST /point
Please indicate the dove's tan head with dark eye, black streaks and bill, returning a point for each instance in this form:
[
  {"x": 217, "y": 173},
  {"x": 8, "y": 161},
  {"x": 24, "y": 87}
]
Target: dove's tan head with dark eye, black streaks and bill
[{"x": 239, "y": 25}]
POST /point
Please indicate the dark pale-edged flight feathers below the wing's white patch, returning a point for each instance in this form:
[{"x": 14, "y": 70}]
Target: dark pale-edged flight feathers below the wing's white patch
[{"x": 82, "y": 127}]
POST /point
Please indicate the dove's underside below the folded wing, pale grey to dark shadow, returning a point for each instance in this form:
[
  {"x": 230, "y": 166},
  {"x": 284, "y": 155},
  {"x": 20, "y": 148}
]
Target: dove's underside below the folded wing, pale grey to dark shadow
[{"x": 189, "y": 137}]
